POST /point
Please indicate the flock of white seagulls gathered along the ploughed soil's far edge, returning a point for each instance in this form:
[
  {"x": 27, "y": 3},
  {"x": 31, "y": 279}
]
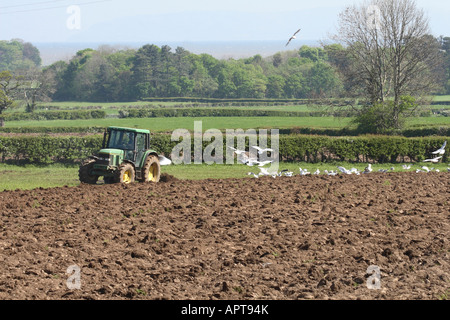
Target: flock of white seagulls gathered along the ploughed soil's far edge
[{"x": 243, "y": 158}]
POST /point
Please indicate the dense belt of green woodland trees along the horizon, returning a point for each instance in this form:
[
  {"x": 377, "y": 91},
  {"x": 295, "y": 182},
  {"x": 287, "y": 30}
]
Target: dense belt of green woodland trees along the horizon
[{"x": 112, "y": 75}]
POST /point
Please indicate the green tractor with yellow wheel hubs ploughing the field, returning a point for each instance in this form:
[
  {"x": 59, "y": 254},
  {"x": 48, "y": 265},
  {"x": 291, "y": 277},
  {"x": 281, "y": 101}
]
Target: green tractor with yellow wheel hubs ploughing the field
[{"x": 125, "y": 157}]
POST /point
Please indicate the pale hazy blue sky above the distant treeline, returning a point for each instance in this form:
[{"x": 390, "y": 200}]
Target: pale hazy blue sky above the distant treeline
[{"x": 182, "y": 20}]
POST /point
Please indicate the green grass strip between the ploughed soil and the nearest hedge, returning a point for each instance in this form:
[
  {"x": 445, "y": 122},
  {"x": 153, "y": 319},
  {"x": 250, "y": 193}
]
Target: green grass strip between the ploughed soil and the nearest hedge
[{"x": 29, "y": 177}]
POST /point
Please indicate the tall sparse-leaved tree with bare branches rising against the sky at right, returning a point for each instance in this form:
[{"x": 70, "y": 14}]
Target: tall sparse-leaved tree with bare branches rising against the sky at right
[{"x": 391, "y": 54}]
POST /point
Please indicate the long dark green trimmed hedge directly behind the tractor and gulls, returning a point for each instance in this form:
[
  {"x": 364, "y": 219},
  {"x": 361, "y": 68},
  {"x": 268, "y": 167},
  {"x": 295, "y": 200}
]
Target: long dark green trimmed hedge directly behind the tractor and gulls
[{"x": 377, "y": 149}]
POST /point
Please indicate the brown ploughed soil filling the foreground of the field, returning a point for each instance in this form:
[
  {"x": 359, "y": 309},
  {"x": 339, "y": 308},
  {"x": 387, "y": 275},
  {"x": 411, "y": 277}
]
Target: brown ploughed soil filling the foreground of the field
[{"x": 304, "y": 237}]
